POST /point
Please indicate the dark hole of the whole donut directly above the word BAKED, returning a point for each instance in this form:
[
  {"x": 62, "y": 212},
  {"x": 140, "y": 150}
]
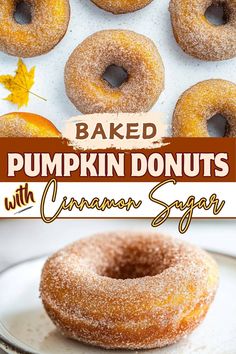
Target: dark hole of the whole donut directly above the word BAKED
[{"x": 115, "y": 75}]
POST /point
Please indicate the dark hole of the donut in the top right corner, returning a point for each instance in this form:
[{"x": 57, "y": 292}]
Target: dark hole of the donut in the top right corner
[{"x": 216, "y": 14}]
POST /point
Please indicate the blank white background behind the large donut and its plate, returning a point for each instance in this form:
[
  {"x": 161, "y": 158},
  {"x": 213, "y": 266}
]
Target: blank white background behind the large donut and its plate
[{"x": 22, "y": 239}]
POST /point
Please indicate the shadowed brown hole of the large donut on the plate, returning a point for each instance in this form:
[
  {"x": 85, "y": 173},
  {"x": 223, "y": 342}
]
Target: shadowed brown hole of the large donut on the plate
[{"x": 134, "y": 262}]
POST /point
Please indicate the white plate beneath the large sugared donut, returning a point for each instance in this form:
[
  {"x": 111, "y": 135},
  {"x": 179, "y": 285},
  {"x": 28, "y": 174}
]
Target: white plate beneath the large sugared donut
[{"x": 25, "y": 328}]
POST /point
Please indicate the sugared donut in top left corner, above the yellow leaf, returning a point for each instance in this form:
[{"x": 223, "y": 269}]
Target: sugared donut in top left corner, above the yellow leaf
[{"x": 48, "y": 26}]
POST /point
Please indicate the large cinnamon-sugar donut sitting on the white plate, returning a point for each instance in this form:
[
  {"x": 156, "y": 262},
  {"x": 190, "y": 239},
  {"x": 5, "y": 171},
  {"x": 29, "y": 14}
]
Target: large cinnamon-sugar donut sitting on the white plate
[{"x": 128, "y": 290}]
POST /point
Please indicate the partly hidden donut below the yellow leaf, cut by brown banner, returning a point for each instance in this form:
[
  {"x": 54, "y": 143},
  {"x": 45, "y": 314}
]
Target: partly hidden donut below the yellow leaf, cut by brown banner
[{"x": 20, "y": 124}]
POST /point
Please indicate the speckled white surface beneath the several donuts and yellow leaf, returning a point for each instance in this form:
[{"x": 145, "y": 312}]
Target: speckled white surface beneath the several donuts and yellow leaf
[{"x": 182, "y": 71}]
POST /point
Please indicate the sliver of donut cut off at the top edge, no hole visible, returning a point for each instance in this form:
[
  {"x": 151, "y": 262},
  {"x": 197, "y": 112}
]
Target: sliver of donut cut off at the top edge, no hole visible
[{"x": 121, "y": 6}]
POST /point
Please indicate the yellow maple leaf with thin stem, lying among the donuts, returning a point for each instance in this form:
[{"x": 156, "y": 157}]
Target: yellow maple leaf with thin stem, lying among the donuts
[{"x": 19, "y": 85}]
